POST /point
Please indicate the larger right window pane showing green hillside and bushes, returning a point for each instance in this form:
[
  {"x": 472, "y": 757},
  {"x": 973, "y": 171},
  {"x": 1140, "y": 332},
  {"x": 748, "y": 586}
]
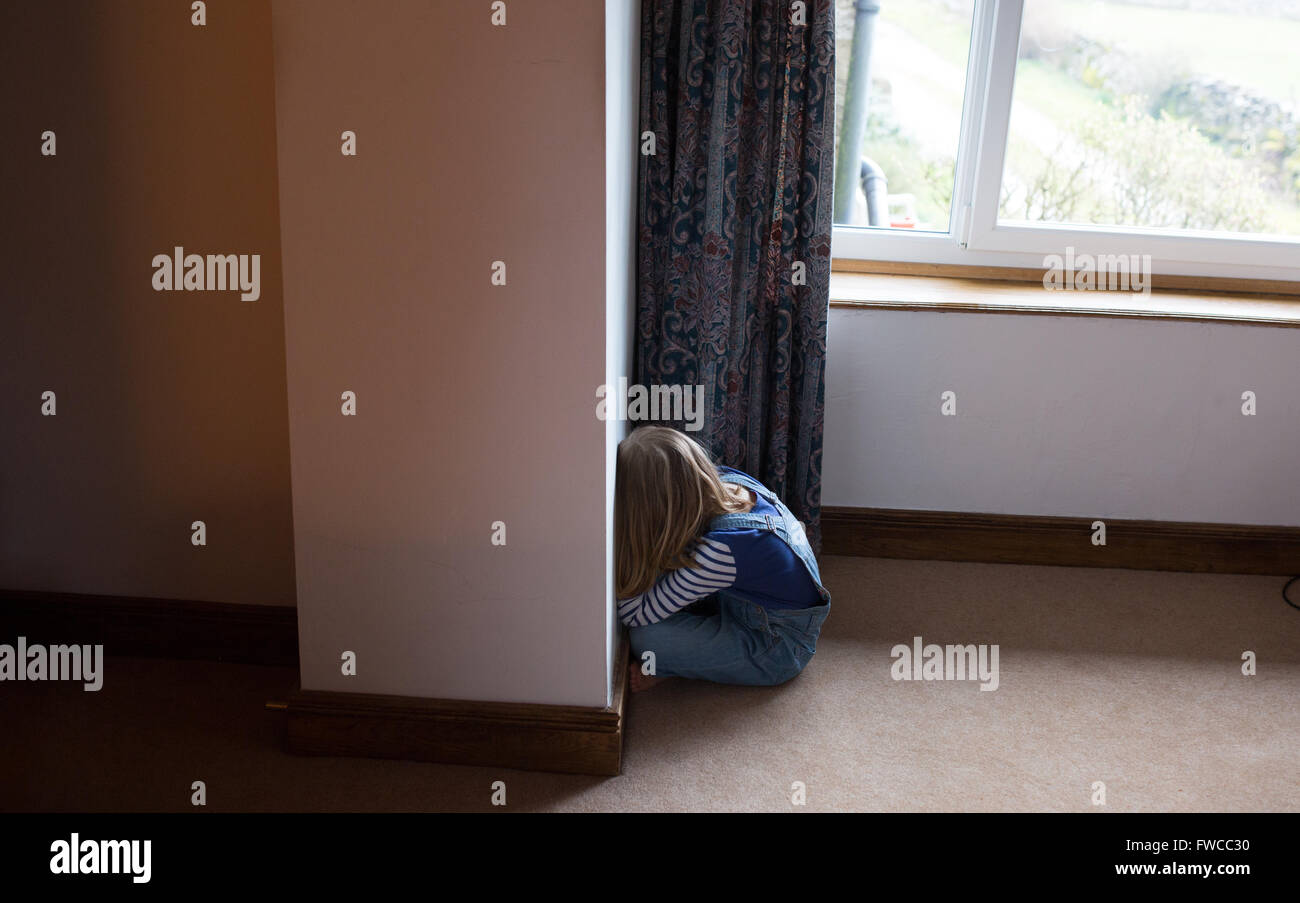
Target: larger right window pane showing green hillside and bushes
[{"x": 1159, "y": 115}]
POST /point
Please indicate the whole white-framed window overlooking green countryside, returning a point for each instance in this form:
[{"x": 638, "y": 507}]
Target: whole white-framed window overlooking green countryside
[{"x": 1002, "y": 132}]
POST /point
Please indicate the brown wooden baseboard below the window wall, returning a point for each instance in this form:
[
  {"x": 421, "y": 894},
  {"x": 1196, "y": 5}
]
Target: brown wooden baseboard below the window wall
[{"x": 1229, "y": 549}]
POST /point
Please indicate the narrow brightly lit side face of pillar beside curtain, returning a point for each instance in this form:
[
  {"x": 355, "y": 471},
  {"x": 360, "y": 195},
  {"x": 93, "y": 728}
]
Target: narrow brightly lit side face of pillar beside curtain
[{"x": 622, "y": 118}]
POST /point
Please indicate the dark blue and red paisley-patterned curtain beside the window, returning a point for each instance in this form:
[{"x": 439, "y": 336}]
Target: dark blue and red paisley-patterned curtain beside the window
[{"x": 735, "y": 198}]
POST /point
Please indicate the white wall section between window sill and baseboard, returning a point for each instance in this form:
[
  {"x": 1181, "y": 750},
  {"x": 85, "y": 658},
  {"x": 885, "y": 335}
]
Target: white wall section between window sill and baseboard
[{"x": 1069, "y": 416}]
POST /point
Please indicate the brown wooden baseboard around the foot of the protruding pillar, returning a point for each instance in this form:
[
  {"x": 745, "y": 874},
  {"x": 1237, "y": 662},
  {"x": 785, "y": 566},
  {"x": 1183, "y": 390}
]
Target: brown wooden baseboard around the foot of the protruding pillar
[{"x": 547, "y": 739}]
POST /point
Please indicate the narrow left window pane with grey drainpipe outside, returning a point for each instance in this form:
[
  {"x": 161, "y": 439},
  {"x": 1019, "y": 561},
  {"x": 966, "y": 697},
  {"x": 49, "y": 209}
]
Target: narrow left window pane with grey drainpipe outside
[{"x": 902, "y": 76}]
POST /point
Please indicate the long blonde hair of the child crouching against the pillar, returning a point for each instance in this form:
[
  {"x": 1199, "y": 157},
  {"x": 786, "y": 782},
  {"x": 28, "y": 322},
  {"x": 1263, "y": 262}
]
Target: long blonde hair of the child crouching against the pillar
[{"x": 666, "y": 493}]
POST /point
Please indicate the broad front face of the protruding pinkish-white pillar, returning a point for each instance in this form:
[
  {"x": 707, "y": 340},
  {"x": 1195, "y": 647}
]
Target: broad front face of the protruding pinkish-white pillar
[{"x": 476, "y": 402}]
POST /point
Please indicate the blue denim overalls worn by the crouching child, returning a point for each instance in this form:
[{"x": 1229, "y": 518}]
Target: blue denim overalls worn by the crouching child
[{"x": 743, "y": 642}]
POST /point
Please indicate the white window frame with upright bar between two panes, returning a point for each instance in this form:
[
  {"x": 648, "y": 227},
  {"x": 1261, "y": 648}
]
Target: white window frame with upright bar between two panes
[{"x": 974, "y": 236}]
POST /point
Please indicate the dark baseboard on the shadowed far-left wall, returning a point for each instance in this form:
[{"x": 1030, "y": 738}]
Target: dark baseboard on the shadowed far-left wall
[{"x": 154, "y": 628}]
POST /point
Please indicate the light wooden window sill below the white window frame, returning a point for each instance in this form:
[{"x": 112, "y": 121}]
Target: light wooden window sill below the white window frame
[{"x": 974, "y": 296}]
